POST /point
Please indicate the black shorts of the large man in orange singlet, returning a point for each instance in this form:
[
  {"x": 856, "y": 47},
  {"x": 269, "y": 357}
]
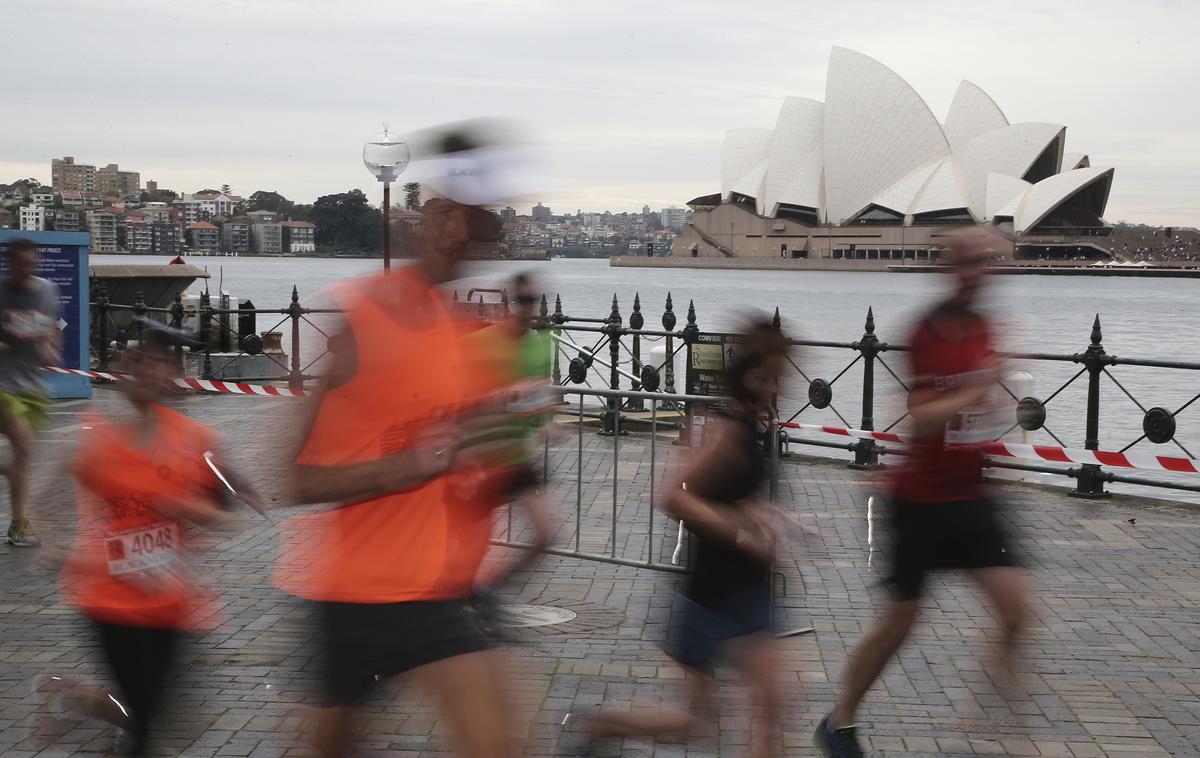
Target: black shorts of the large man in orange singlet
[{"x": 367, "y": 643}]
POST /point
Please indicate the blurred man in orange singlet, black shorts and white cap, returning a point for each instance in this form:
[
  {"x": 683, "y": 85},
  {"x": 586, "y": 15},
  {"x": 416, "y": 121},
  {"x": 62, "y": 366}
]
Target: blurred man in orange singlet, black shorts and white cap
[{"x": 400, "y": 442}]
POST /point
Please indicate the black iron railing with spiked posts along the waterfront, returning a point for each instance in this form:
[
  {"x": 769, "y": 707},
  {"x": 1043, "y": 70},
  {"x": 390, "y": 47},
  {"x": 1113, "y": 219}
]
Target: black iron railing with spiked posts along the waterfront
[{"x": 608, "y": 353}]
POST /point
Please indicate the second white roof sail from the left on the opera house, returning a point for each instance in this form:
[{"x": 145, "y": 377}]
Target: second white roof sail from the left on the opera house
[{"x": 794, "y": 166}]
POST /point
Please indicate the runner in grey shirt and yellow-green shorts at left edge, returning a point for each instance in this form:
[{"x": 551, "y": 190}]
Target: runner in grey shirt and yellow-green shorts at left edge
[{"x": 29, "y": 339}]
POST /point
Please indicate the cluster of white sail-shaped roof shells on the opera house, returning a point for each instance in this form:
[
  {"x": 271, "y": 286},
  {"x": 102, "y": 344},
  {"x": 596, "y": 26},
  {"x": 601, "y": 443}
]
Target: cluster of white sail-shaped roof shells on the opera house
[{"x": 874, "y": 142}]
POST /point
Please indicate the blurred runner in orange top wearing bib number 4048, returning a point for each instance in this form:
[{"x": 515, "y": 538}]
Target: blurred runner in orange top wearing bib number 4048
[{"x": 143, "y": 482}]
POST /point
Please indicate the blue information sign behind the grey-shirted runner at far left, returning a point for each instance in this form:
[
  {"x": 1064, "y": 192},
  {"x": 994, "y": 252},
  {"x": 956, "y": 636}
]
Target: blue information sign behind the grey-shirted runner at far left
[{"x": 64, "y": 261}]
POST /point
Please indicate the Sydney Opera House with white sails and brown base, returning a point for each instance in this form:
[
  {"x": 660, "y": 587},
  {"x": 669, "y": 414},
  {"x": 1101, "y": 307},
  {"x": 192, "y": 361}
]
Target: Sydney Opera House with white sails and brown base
[{"x": 872, "y": 175}]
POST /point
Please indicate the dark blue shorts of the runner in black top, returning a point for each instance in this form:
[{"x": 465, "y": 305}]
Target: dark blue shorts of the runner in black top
[{"x": 700, "y": 631}]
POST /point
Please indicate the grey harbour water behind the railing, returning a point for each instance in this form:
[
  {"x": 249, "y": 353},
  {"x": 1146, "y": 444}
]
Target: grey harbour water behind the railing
[{"x": 1141, "y": 318}]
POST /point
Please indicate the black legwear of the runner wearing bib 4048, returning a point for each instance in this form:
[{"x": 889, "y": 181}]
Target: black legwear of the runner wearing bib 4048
[{"x": 141, "y": 663}]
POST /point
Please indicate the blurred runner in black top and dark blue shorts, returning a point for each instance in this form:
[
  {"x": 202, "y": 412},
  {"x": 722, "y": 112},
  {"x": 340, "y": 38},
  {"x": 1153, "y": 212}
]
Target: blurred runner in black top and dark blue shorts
[{"x": 725, "y": 610}]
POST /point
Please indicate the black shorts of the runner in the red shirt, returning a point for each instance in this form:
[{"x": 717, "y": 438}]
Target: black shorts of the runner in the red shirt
[{"x": 931, "y": 537}]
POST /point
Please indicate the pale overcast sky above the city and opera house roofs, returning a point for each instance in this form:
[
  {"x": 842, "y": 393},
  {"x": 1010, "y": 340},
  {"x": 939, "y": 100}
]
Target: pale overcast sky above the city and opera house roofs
[{"x": 631, "y": 99}]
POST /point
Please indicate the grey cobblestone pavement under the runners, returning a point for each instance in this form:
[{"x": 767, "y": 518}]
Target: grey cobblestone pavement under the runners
[{"x": 1114, "y": 658}]
